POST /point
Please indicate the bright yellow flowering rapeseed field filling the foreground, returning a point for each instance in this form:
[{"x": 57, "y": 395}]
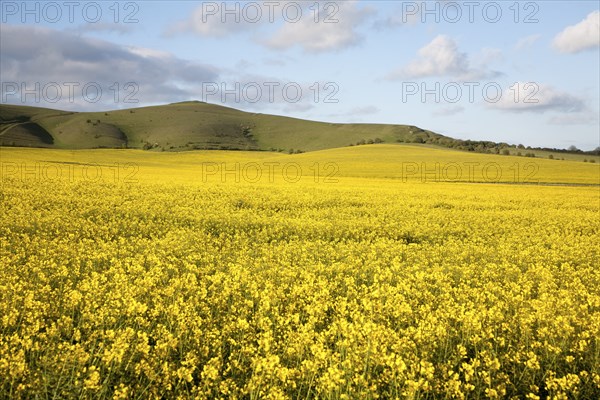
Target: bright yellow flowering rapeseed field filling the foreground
[{"x": 369, "y": 272}]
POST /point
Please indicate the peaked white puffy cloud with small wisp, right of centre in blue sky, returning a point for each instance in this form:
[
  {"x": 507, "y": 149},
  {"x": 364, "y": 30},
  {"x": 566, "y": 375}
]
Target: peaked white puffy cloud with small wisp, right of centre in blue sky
[{"x": 441, "y": 57}]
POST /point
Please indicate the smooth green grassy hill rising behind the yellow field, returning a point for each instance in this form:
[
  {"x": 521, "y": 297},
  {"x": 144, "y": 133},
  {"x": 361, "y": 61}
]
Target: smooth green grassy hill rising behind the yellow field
[{"x": 187, "y": 126}]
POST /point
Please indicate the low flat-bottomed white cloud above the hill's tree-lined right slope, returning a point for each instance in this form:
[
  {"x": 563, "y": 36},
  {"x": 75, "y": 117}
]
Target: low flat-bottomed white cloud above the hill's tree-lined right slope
[{"x": 538, "y": 98}]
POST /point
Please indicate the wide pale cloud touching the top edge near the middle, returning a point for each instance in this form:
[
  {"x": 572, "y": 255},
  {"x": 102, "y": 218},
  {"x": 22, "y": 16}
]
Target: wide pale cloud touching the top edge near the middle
[{"x": 281, "y": 25}]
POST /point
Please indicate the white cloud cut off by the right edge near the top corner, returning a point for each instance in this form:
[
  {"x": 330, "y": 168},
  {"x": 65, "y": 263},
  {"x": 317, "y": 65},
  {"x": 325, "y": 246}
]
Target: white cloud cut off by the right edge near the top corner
[{"x": 583, "y": 36}]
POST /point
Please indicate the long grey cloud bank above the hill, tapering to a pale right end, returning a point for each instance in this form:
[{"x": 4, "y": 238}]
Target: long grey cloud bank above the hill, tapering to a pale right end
[{"x": 63, "y": 60}]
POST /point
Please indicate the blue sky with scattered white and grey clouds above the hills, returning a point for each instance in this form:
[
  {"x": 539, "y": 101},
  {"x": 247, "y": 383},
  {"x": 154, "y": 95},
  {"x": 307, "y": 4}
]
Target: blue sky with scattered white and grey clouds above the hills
[{"x": 519, "y": 72}]
